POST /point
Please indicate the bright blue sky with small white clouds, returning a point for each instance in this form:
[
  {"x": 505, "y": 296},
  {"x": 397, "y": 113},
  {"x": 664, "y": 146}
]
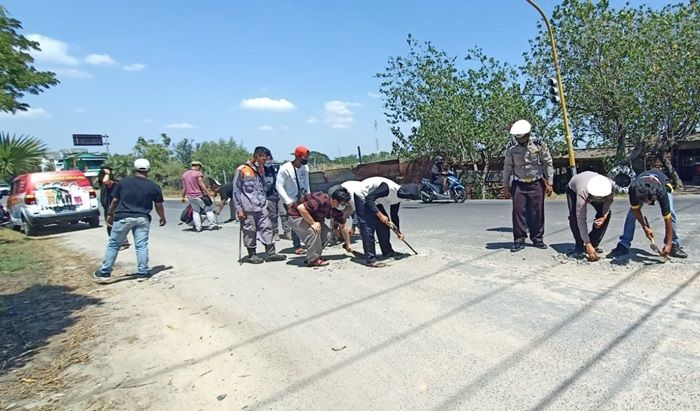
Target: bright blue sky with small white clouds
[{"x": 273, "y": 73}]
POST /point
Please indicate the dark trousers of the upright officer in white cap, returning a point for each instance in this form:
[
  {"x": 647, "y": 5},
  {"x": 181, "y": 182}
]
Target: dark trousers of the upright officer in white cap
[{"x": 528, "y": 210}]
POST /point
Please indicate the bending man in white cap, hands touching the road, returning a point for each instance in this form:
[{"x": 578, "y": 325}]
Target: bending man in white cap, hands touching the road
[{"x": 584, "y": 188}]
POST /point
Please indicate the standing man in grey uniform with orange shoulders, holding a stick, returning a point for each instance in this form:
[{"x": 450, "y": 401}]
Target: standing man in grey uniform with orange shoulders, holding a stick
[{"x": 251, "y": 206}]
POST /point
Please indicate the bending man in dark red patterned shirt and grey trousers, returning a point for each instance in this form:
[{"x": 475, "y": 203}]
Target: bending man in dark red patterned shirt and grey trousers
[{"x": 307, "y": 218}]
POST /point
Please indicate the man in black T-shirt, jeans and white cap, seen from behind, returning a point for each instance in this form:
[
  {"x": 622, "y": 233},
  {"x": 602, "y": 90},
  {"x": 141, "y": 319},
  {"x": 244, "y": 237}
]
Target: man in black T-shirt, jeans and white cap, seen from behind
[{"x": 130, "y": 210}]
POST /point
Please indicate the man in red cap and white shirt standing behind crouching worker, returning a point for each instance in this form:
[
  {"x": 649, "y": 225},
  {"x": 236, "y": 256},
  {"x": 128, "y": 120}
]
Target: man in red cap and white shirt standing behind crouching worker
[{"x": 292, "y": 183}]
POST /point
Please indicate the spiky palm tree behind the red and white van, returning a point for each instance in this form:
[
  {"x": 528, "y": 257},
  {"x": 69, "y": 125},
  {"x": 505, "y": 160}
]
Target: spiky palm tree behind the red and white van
[{"x": 19, "y": 154}]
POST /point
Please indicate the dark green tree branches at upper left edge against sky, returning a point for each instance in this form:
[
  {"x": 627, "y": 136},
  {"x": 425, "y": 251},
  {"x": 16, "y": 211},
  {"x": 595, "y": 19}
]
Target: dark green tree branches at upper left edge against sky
[{"x": 17, "y": 75}]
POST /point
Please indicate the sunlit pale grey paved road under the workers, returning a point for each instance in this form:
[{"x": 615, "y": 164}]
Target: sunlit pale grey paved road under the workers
[{"x": 464, "y": 325}]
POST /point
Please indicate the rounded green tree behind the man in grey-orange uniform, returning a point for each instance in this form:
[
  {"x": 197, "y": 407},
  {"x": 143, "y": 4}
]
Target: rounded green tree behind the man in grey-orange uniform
[{"x": 220, "y": 158}]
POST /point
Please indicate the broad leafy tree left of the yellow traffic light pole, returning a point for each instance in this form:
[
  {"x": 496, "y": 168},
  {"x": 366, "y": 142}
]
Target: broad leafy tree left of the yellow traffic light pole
[{"x": 462, "y": 114}]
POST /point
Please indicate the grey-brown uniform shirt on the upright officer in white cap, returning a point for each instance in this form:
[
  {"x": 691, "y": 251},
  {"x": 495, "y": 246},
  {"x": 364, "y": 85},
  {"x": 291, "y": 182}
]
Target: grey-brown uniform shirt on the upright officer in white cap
[{"x": 528, "y": 162}]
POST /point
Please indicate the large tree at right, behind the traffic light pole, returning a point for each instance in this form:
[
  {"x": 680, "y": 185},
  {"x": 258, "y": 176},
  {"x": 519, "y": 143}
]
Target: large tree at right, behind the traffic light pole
[{"x": 631, "y": 75}]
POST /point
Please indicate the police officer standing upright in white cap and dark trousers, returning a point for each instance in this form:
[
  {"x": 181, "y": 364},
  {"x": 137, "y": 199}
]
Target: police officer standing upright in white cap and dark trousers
[{"x": 529, "y": 163}]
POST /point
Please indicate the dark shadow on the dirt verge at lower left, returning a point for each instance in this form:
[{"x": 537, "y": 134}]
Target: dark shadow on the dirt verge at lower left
[{"x": 29, "y": 318}]
